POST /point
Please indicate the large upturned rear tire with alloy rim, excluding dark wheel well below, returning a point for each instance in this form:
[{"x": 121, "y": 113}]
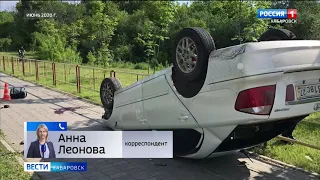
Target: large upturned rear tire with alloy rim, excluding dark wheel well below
[{"x": 202, "y": 43}]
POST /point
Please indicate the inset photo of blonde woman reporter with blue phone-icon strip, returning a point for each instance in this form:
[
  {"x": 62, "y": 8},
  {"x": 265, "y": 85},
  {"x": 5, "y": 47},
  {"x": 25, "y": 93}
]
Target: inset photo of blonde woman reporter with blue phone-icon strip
[{"x": 37, "y": 139}]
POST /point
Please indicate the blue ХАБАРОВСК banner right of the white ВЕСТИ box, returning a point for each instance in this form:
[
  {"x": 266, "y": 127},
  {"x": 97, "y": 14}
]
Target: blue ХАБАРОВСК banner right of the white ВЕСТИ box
[{"x": 68, "y": 166}]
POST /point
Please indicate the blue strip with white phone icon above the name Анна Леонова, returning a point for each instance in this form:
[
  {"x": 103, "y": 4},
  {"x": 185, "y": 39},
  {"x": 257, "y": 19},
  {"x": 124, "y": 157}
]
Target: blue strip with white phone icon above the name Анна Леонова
[{"x": 52, "y": 126}]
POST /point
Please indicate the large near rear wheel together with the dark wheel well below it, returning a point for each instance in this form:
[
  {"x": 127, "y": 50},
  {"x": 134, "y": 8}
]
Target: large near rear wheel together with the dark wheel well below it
[{"x": 192, "y": 47}]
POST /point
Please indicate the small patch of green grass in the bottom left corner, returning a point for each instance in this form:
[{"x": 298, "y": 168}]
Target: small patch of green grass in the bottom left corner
[{"x": 10, "y": 169}]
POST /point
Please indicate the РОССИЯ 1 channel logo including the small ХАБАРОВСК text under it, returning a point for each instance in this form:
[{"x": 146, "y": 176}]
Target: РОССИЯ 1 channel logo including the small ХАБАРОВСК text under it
[{"x": 278, "y": 15}]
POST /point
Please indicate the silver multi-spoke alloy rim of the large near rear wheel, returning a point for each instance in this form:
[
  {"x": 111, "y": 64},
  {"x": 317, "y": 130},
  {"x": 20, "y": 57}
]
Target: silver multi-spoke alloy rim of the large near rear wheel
[{"x": 186, "y": 55}]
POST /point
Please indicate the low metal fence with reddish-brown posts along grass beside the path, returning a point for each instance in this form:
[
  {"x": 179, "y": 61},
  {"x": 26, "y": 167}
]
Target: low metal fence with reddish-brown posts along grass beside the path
[{"x": 65, "y": 76}]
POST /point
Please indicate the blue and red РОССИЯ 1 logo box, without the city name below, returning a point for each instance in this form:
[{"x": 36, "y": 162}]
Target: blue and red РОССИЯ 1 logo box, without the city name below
[{"x": 277, "y": 13}]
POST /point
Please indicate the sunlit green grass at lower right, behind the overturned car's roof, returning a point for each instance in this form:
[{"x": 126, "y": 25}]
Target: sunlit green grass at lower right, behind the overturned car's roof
[{"x": 307, "y": 131}]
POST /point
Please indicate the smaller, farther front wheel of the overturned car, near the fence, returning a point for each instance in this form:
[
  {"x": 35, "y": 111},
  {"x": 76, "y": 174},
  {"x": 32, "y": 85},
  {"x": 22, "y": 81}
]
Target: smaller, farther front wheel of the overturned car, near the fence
[{"x": 107, "y": 89}]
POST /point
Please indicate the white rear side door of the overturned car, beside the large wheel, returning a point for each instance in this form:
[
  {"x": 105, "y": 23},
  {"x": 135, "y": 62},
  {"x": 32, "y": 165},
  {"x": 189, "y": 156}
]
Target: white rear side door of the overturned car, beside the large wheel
[{"x": 162, "y": 108}]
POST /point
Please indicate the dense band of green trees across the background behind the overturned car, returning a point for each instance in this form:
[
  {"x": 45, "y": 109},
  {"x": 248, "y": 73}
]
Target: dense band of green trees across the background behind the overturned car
[{"x": 101, "y": 32}]
